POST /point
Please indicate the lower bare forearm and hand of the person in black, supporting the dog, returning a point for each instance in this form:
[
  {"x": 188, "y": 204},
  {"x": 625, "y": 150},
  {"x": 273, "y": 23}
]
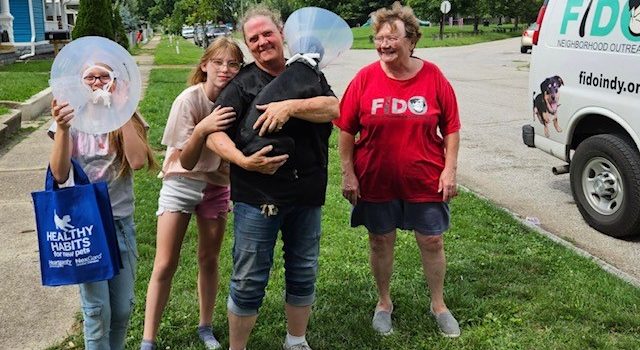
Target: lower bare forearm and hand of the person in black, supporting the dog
[{"x": 220, "y": 143}]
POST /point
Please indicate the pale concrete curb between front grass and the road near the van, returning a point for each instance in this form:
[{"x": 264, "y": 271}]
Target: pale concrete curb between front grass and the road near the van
[{"x": 559, "y": 240}]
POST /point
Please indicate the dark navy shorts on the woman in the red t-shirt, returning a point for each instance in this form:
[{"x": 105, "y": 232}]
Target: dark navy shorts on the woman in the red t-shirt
[{"x": 427, "y": 218}]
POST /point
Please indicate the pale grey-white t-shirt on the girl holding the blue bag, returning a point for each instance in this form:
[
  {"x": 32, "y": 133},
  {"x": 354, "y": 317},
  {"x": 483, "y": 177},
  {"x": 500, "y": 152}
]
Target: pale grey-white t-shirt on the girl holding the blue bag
[{"x": 100, "y": 164}]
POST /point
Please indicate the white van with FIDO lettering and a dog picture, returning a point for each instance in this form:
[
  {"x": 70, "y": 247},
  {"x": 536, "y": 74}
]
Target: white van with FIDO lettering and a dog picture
[{"x": 584, "y": 85}]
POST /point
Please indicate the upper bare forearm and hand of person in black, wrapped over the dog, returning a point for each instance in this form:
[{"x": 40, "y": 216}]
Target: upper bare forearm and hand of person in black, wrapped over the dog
[{"x": 320, "y": 109}]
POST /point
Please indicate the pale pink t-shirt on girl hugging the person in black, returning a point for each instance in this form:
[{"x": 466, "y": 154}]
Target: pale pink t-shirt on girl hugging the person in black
[{"x": 188, "y": 109}]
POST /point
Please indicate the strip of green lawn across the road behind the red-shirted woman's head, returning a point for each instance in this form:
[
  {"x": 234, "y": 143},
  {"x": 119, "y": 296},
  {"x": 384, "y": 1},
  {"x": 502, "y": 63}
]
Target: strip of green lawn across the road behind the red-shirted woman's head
[{"x": 454, "y": 36}]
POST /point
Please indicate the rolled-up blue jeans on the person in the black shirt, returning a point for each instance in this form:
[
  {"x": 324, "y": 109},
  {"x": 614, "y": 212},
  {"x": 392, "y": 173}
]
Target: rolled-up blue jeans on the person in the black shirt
[{"x": 255, "y": 237}]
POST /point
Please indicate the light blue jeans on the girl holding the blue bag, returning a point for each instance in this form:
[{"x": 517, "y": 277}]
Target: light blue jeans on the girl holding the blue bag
[{"x": 107, "y": 305}]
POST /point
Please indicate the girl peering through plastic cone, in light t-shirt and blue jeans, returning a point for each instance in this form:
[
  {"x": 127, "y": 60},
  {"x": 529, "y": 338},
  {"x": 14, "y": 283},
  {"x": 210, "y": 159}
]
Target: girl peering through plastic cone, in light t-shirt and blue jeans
[{"x": 111, "y": 157}]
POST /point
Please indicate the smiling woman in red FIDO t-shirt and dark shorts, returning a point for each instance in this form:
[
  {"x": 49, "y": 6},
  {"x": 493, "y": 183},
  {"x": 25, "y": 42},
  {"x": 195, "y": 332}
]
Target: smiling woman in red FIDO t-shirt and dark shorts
[{"x": 400, "y": 173}]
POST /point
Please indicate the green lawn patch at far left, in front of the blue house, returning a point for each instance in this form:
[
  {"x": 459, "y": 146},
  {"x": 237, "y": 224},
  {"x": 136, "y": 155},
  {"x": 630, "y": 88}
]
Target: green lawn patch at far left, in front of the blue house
[{"x": 21, "y": 80}]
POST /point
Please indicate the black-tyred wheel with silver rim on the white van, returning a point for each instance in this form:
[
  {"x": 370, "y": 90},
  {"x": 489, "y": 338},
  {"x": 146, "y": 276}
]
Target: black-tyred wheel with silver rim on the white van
[{"x": 605, "y": 182}]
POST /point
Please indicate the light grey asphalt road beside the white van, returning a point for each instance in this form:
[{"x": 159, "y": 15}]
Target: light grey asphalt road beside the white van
[{"x": 491, "y": 82}]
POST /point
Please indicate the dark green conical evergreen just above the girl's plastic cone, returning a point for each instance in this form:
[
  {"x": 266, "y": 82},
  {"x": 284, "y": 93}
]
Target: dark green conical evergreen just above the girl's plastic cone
[{"x": 94, "y": 18}]
